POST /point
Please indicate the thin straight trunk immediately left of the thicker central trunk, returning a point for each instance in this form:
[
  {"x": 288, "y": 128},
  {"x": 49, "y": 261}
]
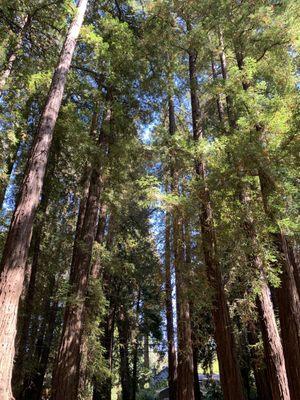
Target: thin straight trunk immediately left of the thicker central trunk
[{"x": 172, "y": 377}]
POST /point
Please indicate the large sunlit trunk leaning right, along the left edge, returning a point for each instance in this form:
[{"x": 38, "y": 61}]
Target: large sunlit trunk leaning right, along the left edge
[{"x": 18, "y": 239}]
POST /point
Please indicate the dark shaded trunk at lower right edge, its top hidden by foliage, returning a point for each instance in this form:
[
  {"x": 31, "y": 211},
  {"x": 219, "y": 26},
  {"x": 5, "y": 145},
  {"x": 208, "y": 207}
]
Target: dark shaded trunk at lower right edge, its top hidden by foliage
[{"x": 287, "y": 294}]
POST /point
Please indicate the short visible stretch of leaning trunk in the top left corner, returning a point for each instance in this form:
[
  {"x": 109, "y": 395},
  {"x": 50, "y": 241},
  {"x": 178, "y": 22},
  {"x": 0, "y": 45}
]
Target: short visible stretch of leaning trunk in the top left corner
[{"x": 13, "y": 53}]
